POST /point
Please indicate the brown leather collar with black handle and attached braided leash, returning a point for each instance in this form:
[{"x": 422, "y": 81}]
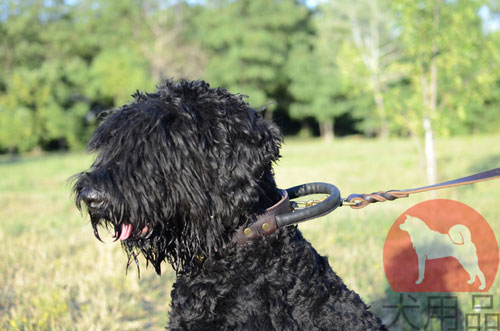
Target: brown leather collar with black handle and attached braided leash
[{"x": 281, "y": 214}]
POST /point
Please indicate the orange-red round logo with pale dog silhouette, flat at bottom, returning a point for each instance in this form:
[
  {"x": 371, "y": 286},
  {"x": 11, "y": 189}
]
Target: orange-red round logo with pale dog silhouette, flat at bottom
[{"x": 441, "y": 246}]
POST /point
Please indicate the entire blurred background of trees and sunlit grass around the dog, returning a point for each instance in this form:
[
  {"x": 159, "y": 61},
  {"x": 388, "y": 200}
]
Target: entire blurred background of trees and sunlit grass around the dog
[{"x": 371, "y": 95}]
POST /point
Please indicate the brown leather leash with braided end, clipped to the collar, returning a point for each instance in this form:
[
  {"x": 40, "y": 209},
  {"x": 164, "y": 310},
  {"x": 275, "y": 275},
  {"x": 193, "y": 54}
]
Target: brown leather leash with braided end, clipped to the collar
[{"x": 357, "y": 201}]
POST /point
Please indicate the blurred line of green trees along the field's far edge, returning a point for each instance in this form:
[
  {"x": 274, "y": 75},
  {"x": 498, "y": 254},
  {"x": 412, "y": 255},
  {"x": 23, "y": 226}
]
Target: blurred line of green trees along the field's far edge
[{"x": 380, "y": 68}]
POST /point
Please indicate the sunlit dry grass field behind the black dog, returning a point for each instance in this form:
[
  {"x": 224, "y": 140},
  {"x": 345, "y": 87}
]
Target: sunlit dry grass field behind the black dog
[{"x": 54, "y": 275}]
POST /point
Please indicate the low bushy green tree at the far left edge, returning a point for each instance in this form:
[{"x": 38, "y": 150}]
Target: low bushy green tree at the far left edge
[{"x": 41, "y": 107}]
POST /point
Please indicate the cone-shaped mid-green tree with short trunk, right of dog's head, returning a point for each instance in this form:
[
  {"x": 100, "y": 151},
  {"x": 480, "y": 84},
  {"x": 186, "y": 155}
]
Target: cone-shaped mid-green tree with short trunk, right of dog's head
[{"x": 316, "y": 82}]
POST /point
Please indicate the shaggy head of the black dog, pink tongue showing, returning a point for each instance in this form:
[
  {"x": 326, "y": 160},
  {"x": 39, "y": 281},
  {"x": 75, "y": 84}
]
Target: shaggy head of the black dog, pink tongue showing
[{"x": 177, "y": 171}]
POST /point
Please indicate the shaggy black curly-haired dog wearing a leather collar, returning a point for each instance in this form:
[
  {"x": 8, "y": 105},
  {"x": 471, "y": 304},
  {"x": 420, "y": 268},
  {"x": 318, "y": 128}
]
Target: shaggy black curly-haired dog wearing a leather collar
[{"x": 179, "y": 173}]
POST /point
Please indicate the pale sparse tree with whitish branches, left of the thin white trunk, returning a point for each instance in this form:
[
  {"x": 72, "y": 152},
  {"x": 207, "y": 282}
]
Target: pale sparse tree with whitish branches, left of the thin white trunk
[{"x": 363, "y": 32}]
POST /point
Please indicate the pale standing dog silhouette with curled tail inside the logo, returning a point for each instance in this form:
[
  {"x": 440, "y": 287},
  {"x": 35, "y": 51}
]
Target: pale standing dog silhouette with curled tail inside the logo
[{"x": 429, "y": 245}]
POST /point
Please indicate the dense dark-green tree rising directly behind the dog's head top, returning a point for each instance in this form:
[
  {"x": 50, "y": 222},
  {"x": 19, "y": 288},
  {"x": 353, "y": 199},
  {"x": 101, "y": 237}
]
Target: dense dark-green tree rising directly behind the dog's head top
[{"x": 248, "y": 42}]
